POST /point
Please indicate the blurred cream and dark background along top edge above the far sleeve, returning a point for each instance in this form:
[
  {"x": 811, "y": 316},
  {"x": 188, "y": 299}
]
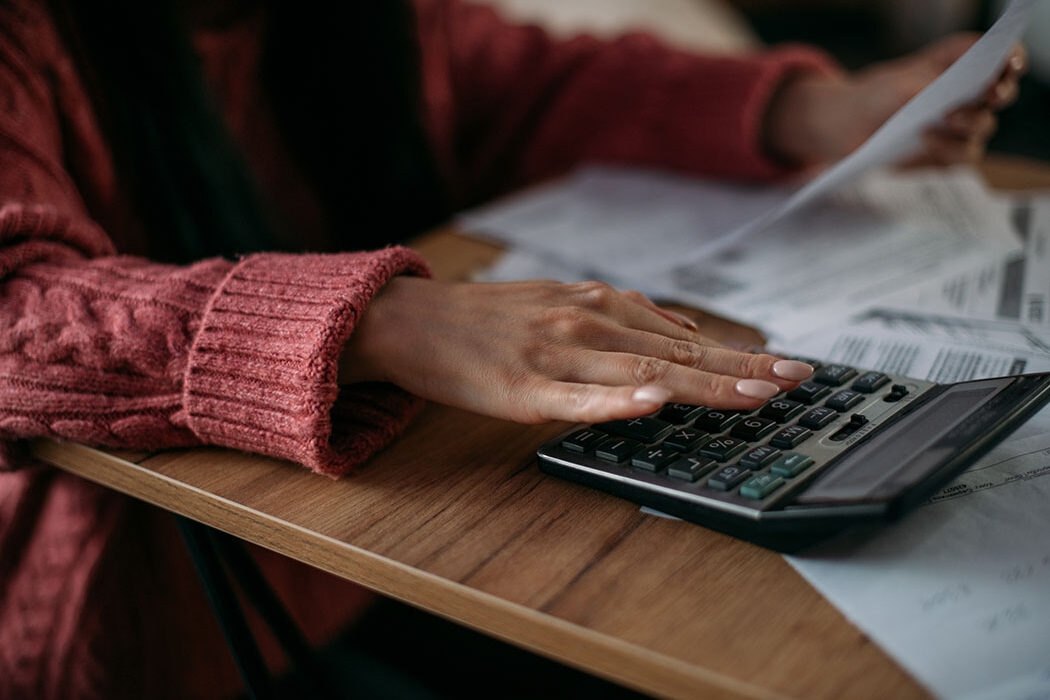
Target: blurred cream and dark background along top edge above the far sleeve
[{"x": 856, "y": 32}]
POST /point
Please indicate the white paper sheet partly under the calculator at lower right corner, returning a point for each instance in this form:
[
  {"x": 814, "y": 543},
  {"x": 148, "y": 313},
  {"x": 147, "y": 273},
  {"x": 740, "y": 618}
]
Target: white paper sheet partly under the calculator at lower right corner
[{"x": 958, "y": 591}]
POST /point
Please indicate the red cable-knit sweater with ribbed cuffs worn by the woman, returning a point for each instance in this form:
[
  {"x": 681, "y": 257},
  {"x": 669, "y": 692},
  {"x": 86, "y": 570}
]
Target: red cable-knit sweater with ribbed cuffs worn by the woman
[{"x": 102, "y": 348}]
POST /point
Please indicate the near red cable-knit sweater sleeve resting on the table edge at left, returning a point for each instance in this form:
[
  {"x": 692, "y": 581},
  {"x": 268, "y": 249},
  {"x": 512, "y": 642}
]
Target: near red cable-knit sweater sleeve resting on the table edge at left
[{"x": 122, "y": 352}]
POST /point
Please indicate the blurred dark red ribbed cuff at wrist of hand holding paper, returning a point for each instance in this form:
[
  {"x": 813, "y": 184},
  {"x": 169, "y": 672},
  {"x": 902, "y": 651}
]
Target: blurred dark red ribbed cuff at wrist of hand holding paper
[{"x": 725, "y": 126}]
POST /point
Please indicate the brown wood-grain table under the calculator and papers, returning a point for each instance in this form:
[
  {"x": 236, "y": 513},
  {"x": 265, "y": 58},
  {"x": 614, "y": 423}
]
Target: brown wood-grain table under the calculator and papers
[{"x": 455, "y": 518}]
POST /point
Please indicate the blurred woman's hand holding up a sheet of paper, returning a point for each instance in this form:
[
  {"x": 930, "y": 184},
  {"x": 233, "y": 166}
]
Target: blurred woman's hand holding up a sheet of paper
[{"x": 820, "y": 119}]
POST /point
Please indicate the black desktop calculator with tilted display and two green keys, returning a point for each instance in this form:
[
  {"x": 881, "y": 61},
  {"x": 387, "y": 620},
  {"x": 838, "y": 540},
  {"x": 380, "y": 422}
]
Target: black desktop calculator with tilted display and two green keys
[{"x": 847, "y": 448}]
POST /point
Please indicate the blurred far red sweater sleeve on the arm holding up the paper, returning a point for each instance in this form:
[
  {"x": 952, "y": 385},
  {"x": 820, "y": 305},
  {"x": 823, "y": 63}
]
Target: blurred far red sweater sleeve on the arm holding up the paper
[{"x": 512, "y": 105}]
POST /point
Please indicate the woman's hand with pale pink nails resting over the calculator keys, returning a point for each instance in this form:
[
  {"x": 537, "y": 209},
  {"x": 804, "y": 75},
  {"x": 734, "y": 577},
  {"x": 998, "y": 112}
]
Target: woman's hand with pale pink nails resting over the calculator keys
[{"x": 540, "y": 351}]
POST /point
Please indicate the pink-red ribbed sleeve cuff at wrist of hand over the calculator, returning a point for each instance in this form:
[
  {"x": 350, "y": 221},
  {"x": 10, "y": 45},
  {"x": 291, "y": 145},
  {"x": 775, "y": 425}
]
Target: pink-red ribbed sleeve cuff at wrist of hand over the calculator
[{"x": 262, "y": 374}]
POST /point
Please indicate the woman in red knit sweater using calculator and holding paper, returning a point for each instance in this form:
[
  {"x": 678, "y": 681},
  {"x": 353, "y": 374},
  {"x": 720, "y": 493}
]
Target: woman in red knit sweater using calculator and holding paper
[{"x": 140, "y": 143}]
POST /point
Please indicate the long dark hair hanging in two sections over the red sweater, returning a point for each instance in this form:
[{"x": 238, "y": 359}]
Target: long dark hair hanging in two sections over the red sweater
[{"x": 344, "y": 79}]
